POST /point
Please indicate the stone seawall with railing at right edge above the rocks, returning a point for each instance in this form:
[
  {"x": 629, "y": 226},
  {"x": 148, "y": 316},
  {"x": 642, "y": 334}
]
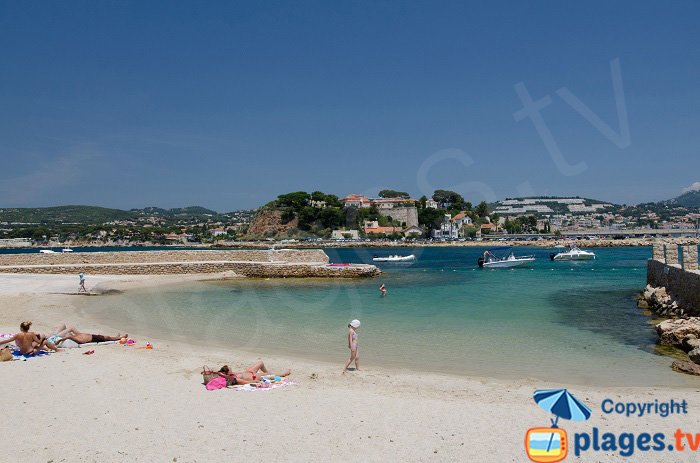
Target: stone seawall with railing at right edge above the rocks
[{"x": 676, "y": 269}]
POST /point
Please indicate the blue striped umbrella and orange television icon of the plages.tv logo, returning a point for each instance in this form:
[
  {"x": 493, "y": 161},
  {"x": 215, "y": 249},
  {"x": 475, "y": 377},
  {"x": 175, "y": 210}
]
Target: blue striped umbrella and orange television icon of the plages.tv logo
[{"x": 550, "y": 444}]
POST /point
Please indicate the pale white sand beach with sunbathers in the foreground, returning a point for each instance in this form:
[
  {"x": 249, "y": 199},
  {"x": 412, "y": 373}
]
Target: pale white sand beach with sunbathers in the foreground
[{"x": 124, "y": 404}]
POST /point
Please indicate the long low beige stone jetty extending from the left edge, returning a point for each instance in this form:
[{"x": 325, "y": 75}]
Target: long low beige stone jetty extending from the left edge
[{"x": 260, "y": 264}]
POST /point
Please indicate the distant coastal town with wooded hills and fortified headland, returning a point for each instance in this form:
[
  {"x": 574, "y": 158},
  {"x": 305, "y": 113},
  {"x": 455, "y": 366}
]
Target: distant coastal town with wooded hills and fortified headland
[{"x": 301, "y": 216}]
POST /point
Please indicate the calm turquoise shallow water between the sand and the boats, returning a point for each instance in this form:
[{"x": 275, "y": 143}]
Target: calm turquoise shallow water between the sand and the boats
[{"x": 557, "y": 321}]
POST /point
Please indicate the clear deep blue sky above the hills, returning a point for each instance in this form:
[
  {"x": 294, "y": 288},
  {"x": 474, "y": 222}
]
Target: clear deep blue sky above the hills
[{"x": 228, "y": 104}]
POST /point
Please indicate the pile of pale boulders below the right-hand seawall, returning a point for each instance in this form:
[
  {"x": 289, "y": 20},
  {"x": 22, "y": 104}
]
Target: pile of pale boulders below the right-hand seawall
[{"x": 680, "y": 332}]
